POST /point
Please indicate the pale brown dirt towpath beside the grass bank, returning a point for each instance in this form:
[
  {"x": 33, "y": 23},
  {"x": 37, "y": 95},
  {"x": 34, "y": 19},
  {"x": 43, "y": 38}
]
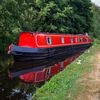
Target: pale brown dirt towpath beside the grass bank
[{"x": 90, "y": 83}]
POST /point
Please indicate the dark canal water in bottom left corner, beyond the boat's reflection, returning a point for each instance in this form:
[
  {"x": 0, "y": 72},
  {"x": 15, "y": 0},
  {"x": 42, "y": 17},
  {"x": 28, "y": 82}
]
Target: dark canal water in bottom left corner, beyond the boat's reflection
[{"x": 13, "y": 89}]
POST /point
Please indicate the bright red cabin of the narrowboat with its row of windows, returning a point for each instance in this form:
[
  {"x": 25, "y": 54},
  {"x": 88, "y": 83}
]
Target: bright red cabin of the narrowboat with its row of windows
[{"x": 40, "y": 40}]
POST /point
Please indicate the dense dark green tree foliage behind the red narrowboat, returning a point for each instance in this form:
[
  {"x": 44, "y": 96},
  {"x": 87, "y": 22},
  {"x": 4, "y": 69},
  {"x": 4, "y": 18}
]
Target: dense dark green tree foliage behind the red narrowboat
[{"x": 59, "y": 16}]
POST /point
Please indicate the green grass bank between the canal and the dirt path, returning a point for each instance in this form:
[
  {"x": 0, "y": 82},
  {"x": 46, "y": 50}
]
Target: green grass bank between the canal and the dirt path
[{"x": 63, "y": 84}]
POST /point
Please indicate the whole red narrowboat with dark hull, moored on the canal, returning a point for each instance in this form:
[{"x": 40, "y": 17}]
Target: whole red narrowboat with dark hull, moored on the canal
[{"x": 39, "y": 47}]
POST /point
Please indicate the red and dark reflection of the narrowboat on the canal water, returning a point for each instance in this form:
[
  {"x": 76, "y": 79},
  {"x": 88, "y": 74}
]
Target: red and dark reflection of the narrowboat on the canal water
[{"x": 38, "y": 74}]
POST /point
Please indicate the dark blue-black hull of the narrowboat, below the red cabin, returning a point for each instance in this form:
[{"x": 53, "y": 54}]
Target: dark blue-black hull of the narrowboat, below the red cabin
[{"x": 41, "y": 54}]
